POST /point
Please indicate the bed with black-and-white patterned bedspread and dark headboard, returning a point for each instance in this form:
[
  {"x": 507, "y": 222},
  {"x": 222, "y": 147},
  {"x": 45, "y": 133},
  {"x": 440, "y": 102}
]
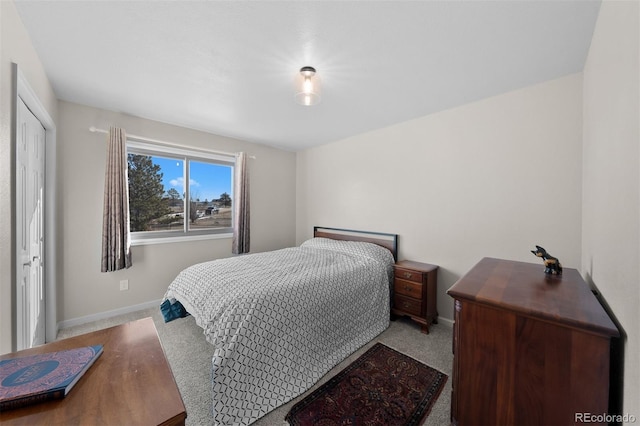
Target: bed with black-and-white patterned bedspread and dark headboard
[{"x": 280, "y": 320}]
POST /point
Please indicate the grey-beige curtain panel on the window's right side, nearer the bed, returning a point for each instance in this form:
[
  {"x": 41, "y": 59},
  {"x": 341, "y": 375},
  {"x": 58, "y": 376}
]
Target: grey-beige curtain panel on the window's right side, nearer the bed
[{"x": 241, "y": 206}]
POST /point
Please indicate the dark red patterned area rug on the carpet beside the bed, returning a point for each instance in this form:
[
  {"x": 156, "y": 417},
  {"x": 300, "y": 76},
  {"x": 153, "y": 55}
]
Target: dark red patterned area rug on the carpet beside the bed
[{"x": 382, "y": 387}]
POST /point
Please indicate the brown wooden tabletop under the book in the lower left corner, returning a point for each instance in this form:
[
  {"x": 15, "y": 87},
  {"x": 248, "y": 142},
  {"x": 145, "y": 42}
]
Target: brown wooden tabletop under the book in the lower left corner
[{"x": 130, "y": 384}]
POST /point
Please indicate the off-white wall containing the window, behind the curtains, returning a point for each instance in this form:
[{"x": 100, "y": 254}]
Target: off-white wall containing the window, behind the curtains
[{"x": 83, "y": 289}]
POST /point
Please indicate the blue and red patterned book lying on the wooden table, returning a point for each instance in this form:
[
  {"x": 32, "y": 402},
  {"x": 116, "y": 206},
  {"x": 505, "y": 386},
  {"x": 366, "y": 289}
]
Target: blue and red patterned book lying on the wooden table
[{"x": 42, "y": 377}]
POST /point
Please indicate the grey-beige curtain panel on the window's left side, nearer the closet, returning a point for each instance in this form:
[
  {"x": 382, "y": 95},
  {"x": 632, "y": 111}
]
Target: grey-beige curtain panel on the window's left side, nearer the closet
[{"x": 116, "y": 246}]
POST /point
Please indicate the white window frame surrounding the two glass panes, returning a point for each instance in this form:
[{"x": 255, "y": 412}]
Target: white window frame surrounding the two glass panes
[{"x": 186, "y": 154}]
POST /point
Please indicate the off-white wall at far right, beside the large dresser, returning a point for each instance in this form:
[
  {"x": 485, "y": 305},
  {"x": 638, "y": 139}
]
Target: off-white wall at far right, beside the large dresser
[{"x": 611, "y": 178}]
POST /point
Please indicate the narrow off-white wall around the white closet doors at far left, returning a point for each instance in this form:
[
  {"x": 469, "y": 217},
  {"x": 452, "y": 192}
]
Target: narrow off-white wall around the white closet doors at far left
[{"x": 15, "y": 47}]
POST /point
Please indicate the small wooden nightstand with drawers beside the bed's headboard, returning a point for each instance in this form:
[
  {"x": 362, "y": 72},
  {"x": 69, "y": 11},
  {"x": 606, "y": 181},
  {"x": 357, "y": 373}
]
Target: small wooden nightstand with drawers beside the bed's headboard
[{"x": 415, "y": 287}]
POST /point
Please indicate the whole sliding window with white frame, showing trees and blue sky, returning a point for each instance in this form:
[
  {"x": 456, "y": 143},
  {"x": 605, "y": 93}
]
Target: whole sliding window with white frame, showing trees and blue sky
[{"x": 163, "y": 208}]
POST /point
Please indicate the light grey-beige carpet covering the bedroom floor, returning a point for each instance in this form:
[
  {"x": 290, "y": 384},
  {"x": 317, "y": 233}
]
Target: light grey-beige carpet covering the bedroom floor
[{"x": 189, "y": 355}]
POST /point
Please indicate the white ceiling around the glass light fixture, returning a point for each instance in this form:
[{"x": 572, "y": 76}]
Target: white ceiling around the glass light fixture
[{"x": 227, "y": 67}]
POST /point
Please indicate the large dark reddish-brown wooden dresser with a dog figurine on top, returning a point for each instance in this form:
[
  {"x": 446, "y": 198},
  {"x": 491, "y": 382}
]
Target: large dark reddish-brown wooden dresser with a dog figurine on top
[{"x": 529, "y": 349}]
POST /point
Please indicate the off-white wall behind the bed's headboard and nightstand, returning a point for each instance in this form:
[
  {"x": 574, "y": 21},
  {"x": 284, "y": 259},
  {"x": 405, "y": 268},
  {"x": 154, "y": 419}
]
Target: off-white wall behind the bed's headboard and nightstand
[{"x": 491, "y": 178}]
